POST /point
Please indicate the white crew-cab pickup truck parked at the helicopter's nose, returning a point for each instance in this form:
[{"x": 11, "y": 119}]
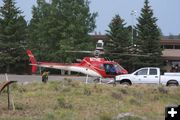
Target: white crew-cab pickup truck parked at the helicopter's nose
[{"x": 149, "y": 75}]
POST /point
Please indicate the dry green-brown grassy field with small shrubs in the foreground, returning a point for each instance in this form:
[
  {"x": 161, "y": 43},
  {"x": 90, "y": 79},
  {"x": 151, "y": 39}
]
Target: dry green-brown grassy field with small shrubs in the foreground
[{"x": 73, "y": 100}]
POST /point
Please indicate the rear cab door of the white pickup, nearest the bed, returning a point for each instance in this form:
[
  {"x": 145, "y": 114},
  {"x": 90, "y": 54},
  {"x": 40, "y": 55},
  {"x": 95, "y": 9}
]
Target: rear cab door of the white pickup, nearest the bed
[{"x": 153, "y": 76}]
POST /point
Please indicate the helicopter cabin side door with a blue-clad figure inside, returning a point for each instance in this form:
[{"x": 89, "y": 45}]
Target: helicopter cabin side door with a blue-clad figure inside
[{"x": 110, "y": 69}]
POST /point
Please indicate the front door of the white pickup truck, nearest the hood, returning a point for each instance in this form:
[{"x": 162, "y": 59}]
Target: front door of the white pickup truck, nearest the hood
[{"x": 141, "y": 76}]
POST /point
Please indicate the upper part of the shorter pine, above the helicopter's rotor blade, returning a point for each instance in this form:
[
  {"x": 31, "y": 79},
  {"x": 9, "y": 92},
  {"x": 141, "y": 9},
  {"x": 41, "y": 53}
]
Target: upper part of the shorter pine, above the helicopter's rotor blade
[{"x": 119, "y": 35}]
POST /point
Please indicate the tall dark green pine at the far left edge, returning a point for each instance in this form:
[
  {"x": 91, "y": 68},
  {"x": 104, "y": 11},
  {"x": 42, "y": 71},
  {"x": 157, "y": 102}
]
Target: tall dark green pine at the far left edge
[{"x": 12, "y": 36}]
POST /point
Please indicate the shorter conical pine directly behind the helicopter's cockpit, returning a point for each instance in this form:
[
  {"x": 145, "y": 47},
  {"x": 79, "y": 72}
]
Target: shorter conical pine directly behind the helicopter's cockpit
[{"x": 120, "y": 40}]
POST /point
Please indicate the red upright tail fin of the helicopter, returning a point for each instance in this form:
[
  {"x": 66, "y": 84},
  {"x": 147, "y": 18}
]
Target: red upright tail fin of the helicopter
[{"x": 32, "y": 60}]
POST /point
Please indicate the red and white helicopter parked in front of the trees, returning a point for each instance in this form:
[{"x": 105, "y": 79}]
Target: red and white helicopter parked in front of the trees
[{"x": 92, "y": 66}]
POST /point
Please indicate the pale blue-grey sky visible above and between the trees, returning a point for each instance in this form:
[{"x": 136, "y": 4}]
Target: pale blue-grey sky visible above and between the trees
[{"x": 166, "y": 12}]
